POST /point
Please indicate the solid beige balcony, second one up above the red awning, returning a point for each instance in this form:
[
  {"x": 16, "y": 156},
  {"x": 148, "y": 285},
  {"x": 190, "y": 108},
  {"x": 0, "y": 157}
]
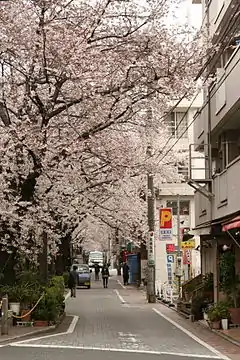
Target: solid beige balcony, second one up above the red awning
[{"x": 225, "y": 94}]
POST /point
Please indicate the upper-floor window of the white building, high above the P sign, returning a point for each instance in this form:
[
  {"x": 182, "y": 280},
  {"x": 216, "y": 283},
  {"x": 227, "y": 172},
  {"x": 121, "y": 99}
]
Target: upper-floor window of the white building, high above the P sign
[{"x": 178, "y": 124}]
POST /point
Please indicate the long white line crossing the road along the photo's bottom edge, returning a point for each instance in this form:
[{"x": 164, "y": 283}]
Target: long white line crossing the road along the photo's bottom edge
[{"x": 115, "y": 350}]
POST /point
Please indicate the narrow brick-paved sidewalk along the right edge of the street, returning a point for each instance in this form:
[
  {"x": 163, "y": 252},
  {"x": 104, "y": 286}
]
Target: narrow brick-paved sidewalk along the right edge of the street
[{"x": 133, "y": 296}]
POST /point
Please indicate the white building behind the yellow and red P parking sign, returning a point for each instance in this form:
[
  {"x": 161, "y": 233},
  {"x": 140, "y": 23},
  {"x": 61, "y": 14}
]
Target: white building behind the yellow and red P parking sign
[{"x": 167, "y": 195}]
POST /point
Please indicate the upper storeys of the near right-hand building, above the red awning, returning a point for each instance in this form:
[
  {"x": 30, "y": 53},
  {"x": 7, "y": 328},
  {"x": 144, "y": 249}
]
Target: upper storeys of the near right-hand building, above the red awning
[{"x": 222, "y": 114}]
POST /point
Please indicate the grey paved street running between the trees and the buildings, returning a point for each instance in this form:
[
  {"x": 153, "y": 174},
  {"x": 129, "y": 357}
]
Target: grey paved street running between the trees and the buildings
[{"x": 102, "y": 326}]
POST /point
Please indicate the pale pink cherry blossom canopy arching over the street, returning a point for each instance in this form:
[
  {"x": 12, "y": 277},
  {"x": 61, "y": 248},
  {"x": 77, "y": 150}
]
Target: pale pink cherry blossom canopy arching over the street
[{"x": 77, "y": 77}]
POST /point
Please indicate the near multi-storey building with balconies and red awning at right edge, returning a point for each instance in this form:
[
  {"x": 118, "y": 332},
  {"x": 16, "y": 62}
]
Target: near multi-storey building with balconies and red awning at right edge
[{"x": 217, "y": 136}]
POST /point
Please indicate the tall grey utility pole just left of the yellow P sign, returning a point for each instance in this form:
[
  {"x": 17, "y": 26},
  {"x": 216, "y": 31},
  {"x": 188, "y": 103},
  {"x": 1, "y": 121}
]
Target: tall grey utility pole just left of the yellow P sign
[{"x": 151, "y": 295}]
